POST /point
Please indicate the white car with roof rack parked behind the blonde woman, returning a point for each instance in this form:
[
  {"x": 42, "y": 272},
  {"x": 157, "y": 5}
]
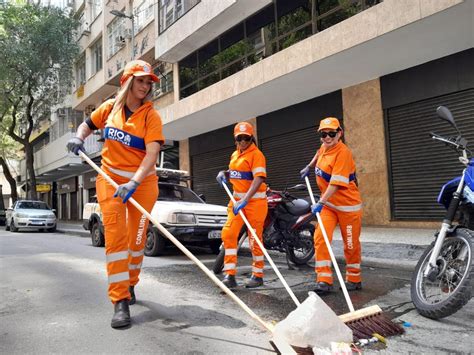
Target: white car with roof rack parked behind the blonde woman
[{"x": 179, "y": 209}]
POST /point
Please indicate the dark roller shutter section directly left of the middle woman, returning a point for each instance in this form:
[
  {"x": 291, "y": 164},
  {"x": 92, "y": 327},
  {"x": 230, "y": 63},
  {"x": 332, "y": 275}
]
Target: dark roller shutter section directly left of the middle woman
[{"x": 205, "y": 168}]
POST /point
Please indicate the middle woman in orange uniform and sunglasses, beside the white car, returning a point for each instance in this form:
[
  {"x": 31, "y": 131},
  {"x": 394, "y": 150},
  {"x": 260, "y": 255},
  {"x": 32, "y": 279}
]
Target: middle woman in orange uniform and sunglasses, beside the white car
[{"x": 247, "y": 174}]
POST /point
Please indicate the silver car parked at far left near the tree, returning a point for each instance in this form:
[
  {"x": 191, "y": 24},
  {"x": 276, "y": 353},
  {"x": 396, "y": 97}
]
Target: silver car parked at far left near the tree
[{"x": 30, "y": 215}]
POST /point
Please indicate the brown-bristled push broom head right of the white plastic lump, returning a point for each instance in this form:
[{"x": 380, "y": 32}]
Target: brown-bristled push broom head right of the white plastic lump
[{"x": 368, "y": 321}]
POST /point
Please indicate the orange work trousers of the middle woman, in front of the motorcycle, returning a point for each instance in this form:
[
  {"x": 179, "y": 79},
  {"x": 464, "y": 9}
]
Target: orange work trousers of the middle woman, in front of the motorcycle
[{"x": 256, "y": 212}]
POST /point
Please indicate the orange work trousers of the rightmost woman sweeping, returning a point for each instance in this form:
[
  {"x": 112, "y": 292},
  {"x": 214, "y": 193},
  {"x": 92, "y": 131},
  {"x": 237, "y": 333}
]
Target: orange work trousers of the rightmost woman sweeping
[{"x": 350, "y": 225}]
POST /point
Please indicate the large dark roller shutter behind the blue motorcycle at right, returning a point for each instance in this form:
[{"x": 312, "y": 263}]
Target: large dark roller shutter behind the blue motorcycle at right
[{"x": 418, "y": 165}]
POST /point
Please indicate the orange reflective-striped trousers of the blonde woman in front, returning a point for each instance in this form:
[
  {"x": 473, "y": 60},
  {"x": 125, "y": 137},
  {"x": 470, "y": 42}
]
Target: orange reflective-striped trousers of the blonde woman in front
[{"x": 125, "y": 230}]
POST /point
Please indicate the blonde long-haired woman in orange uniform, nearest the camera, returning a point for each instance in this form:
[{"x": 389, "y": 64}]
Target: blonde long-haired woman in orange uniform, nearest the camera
[{"x": 133, "y": 137}]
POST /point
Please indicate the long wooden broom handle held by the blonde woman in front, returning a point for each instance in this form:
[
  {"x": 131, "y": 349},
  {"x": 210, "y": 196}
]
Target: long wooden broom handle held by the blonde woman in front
[{"x": 176, "y": 242}]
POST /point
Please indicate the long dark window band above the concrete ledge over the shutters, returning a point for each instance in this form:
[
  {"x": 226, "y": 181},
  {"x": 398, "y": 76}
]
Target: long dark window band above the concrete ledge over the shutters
[{"x": 274, "y": 28}]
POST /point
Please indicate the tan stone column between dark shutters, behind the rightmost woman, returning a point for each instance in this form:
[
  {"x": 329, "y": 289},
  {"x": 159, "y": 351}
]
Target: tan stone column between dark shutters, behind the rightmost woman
[{"x": 365, "y": 135}]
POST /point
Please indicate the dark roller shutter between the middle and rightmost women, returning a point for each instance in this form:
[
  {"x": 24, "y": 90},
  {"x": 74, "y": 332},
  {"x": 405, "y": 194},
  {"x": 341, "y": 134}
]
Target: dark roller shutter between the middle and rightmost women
[{"x": 287, "y": 154}]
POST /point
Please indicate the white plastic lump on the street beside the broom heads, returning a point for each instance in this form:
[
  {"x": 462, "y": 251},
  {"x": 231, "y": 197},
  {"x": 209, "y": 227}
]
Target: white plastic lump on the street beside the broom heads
[{"x": 313, "y": 324}]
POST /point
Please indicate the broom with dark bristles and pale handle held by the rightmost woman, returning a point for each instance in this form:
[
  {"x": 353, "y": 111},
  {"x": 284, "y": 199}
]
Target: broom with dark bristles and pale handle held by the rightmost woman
[{"x": 366, "y": 321}]
